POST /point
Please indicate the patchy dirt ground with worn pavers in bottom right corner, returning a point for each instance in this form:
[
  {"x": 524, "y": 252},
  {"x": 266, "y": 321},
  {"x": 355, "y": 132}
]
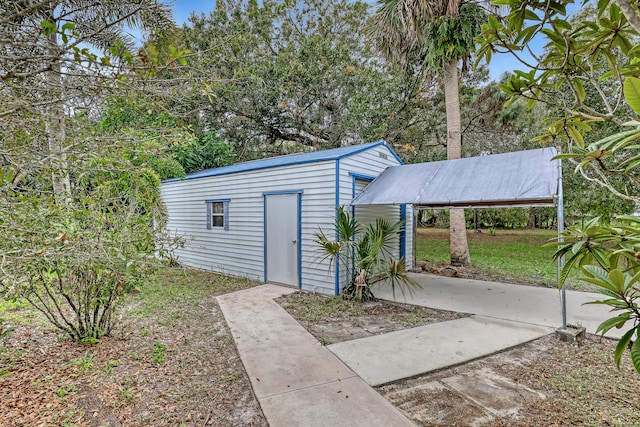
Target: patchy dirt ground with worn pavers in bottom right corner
[{"x": 542, "y": 383}]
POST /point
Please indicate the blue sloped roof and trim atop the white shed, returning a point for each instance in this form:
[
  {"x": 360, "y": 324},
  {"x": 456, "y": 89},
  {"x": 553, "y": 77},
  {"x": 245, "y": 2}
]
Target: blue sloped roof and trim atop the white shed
[{"x": 289, "y": 160}]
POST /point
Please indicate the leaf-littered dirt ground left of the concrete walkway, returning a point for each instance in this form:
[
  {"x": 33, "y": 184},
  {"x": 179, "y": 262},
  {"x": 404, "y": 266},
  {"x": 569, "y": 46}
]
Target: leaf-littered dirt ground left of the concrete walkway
[{"x": 171, "y": 362}]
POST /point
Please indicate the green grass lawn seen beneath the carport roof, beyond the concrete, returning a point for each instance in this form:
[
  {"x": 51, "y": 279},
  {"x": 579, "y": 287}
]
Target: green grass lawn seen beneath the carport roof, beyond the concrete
[{"x": 505, "y": 255}]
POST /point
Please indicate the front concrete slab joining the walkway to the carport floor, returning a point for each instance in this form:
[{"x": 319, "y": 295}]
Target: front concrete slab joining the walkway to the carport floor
[{"x": 402, "y": 354}]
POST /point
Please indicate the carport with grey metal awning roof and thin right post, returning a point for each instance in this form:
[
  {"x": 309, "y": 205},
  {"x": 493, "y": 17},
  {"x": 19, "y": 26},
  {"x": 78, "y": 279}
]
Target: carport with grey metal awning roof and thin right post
[{"x": 517, "y": 179}]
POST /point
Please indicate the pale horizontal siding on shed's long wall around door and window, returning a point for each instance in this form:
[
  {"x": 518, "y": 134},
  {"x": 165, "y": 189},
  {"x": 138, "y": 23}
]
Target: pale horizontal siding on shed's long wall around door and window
[{"x": 240, "y": 250}]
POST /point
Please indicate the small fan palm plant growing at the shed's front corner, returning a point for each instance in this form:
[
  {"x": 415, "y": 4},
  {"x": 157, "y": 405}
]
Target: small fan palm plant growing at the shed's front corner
[{"x": 365, "y": 252}]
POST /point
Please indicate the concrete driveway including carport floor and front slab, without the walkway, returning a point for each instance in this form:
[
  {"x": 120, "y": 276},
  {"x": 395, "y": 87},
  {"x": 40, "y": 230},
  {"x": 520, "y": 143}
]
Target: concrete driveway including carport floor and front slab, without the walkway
[{"x": 503, "y": 316}]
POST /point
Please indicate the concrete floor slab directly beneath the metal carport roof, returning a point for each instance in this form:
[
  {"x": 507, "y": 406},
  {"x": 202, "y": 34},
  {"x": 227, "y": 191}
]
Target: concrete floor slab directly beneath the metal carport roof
[{"x": 526, "y": 304}]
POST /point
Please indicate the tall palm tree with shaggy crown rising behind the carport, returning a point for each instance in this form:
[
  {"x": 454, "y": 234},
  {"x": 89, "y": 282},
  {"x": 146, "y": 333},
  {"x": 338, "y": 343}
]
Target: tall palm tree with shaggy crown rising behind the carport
[{"x": 438, "y": 35}]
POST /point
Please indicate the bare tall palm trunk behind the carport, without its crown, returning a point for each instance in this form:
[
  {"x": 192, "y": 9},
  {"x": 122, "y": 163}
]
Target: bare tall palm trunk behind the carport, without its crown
[{"x": 457, "y": 229}]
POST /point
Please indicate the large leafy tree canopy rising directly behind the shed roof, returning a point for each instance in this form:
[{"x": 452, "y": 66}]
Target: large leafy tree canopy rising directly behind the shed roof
[{"x": 278, "y": 77}]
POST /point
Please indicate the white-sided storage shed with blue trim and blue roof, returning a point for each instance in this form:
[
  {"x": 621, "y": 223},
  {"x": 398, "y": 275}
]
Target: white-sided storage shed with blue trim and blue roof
[{"x": 258, "y": 219}]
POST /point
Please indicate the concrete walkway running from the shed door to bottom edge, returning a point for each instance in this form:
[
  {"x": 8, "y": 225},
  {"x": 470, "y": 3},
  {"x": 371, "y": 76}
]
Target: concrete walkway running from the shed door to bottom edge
[{"x": 297, "y": 381}]
